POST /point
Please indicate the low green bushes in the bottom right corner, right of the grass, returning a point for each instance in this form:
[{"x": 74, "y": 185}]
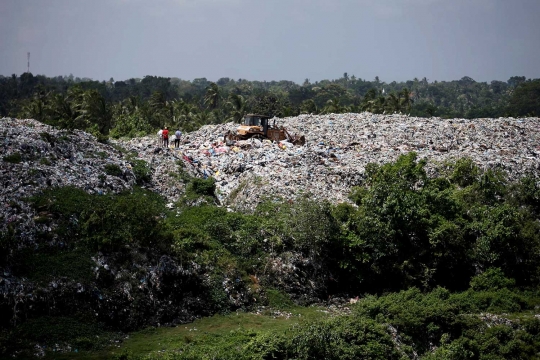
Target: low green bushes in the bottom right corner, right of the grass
[{"x": 448, "y": 321}]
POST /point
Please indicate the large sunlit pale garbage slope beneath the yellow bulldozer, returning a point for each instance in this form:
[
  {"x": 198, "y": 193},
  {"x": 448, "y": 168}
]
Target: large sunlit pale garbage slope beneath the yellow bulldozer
[{"x": 338, "y": 148}]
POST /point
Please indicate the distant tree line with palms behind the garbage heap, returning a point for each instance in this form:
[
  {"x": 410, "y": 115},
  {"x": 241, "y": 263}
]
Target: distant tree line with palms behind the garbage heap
[{"x": 139, "y": 106}]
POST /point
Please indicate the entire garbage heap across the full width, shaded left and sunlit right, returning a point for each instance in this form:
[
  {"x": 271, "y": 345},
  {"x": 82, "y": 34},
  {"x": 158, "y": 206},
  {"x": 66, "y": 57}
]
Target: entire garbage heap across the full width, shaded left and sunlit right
[{"x": 338, "y": 148}]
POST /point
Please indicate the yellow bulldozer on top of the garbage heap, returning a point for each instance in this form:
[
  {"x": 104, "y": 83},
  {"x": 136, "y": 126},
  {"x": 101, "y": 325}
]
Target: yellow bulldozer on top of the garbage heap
[{"x": 258, "y": 126}]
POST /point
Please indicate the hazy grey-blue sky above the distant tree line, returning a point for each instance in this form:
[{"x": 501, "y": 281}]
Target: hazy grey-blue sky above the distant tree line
[{"x": 272, "y": 39}]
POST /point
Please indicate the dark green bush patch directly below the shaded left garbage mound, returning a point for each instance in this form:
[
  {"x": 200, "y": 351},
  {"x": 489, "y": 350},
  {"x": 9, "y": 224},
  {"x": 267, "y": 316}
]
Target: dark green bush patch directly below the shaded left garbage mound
[{"x": 106, "y": 222}]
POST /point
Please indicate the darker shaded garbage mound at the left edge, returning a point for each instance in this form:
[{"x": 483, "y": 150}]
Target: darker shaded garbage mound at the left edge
[{"x": 35, "y": 156}]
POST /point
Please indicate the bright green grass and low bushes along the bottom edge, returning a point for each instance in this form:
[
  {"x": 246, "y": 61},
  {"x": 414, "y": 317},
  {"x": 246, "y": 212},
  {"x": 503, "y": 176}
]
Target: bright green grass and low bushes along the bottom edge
[{"x": 495, "y": 324}]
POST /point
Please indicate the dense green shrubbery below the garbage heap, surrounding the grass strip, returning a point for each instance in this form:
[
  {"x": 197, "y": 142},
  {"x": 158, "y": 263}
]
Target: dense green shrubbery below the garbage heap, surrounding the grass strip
[{"x": 441, "y": 249}]
